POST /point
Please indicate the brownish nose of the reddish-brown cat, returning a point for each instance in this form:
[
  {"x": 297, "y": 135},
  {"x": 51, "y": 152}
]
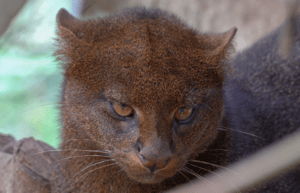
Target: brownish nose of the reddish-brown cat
[{"x": 153, "y": 161}]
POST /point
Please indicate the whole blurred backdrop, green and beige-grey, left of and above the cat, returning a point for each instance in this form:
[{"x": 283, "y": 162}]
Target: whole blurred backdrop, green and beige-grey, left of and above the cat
[{"x": 30, "y": 77}]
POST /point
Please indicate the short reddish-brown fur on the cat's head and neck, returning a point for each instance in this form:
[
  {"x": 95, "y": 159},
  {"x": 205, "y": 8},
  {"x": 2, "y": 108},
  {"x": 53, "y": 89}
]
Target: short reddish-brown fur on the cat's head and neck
[{"x": 148, "y": 59}]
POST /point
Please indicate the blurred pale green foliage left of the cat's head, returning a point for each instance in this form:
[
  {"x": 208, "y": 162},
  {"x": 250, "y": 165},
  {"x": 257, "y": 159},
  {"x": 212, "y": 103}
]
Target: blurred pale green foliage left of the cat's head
[{"x": 29, "y": 76}]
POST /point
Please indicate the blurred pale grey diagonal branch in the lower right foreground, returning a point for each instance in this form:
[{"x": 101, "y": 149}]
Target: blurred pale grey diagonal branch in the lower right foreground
[{"x": 251, "y": 171}]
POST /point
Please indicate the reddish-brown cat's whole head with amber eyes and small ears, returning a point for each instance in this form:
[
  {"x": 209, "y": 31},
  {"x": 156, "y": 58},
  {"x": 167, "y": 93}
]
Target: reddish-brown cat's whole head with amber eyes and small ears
[{"x": 142, "y": 86}]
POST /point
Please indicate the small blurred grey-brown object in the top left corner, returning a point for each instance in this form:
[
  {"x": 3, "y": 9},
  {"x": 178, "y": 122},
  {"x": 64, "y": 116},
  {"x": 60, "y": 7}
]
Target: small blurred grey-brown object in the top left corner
[{"x": 8, "y": 10}]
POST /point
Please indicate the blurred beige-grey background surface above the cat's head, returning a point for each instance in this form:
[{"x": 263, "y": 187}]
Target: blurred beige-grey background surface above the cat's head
[{"x": 253, "y": 19}]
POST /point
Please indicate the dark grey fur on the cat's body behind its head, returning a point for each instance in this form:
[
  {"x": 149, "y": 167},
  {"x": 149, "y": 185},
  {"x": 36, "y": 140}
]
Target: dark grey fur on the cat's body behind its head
[{"x": 262, "y": 98}]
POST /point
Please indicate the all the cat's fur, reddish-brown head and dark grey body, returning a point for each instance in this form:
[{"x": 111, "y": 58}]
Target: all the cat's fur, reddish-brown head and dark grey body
[{"x": 148, "y": 59}]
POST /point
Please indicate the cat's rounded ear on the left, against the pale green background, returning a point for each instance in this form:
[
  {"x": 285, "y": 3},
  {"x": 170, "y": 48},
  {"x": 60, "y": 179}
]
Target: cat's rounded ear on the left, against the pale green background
[{"x": 68, "y": 25}]
